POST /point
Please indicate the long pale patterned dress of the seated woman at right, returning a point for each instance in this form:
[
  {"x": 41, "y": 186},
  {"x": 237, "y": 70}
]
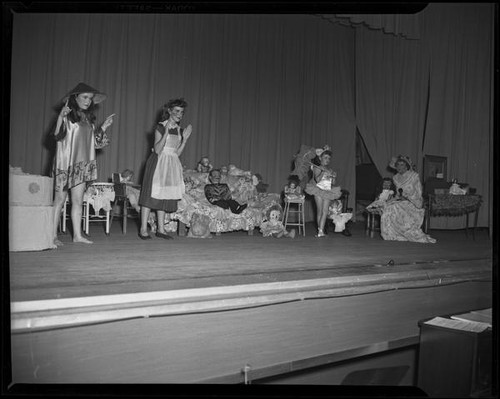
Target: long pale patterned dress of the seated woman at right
[{"x": 402, "y": 220}]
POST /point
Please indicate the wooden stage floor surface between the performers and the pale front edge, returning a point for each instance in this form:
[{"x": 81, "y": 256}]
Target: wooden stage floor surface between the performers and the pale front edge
[{"x": 123, "y": 264}]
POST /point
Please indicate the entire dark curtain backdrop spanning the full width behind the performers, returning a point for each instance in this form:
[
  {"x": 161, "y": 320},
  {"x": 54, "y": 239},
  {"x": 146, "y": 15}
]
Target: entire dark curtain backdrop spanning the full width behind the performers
[{"x": 259, "y": 86}]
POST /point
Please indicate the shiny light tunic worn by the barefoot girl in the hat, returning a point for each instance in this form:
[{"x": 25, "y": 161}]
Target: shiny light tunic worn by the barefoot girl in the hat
[{"x": 75, "y": 160}]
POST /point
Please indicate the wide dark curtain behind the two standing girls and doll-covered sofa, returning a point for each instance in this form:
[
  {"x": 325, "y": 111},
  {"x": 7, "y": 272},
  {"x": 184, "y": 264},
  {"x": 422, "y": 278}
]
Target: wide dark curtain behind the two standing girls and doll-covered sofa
[{"x": 257, "y": 87}]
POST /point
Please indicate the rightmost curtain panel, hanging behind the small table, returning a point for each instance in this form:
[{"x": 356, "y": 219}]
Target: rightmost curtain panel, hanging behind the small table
[{"x": 459, "y": 121}]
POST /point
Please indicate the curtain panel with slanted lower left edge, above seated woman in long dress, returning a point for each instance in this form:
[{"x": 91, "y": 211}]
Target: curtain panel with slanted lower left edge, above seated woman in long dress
[{"x": 391, "y": 94}]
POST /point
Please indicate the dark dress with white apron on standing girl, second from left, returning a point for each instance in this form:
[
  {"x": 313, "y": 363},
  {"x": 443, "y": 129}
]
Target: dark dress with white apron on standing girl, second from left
[{"x": 163, "y": 182}]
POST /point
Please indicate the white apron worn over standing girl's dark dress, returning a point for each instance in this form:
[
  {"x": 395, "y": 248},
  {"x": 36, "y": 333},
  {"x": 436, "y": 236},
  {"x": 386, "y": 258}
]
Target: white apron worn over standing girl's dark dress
[{"x": 168, "y": 181}]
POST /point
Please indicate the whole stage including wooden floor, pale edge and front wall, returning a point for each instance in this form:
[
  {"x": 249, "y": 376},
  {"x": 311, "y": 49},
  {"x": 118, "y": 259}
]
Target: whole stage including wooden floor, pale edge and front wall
[{"x": 186, "y": 310}]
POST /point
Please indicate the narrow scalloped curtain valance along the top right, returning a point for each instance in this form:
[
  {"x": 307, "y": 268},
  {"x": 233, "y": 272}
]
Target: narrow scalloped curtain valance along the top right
[{"x": 404, "y": 25}]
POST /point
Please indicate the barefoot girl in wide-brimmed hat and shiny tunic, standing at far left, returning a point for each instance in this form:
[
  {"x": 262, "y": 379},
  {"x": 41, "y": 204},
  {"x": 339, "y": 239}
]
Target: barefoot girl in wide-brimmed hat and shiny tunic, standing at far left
[{"x": 74, "y": 166}]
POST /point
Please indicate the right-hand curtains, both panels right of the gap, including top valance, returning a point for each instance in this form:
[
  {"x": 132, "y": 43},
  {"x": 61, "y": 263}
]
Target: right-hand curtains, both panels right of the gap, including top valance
[{"x": 429, "y": 96}]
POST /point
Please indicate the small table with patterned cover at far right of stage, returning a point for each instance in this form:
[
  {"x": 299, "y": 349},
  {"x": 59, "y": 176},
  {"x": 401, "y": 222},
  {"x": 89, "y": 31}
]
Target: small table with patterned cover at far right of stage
[{"x": 450, "y": 205}]
